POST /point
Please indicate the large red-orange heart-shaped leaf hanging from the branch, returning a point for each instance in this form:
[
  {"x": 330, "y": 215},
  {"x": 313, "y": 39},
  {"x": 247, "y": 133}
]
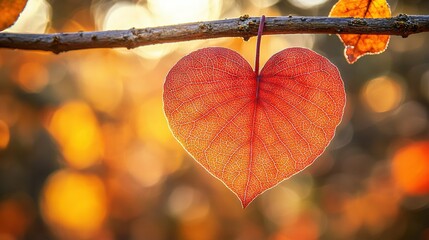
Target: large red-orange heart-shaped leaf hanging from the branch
[{"x": 252, "y": 136}]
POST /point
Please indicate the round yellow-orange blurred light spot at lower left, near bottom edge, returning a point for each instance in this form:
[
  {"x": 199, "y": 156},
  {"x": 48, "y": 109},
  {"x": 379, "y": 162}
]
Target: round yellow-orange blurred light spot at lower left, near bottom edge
[{"x": 75, "y": 204}]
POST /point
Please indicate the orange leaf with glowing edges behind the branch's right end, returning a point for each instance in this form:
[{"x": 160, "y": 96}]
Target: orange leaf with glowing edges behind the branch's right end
[{"x": 358, "y": 45}]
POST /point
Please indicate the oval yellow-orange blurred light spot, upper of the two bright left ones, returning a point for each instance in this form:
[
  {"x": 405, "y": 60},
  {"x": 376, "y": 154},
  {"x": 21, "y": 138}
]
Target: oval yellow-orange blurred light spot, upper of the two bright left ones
[{"x": 75, "y": 127}]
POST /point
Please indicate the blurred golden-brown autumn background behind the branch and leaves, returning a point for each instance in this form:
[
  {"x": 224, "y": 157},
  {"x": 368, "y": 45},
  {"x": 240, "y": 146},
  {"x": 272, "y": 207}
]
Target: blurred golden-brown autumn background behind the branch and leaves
[{"x": 86, "y": 153}]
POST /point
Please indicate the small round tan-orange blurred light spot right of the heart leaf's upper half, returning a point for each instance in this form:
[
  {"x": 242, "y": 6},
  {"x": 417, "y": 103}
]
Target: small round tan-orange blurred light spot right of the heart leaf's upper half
[{"x": 382, "y": 94}]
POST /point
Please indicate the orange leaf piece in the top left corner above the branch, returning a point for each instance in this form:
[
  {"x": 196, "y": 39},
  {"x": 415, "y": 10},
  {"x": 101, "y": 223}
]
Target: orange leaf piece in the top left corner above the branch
[{"x": 9, "y": 12}]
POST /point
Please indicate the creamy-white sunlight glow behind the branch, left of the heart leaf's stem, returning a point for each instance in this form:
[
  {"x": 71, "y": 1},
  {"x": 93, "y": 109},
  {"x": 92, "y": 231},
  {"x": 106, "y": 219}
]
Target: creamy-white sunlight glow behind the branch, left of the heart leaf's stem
[{"x": 126, "y": 15}]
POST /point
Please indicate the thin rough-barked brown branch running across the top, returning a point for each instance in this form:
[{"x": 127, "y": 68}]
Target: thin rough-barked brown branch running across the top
[{"x": 244, "y": 26}]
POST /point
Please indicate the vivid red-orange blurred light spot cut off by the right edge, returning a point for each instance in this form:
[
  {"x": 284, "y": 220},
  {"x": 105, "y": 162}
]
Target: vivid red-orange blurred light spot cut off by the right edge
[{"x": 410, "y": 168}]
